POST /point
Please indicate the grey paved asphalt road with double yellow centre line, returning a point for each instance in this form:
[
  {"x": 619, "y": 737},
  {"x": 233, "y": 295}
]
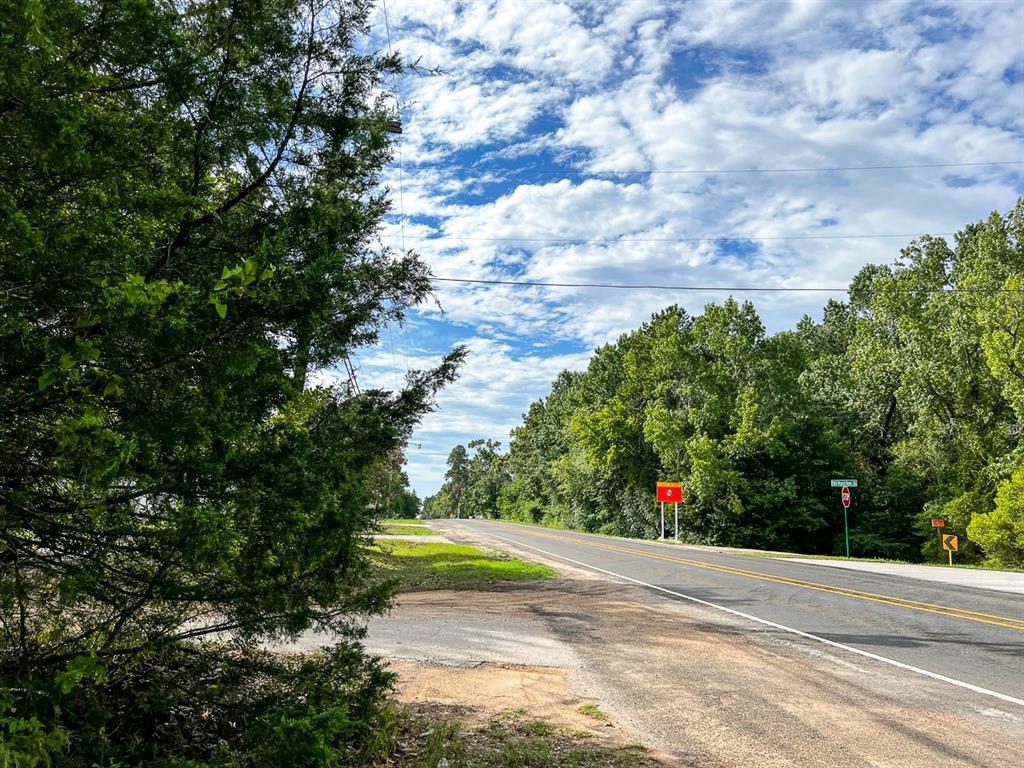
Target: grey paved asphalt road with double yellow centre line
[{"x": 974, "y": 637}]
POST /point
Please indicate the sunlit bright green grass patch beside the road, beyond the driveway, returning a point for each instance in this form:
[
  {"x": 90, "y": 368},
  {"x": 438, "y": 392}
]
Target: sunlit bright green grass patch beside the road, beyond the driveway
[{"x": 439, "y": 567}]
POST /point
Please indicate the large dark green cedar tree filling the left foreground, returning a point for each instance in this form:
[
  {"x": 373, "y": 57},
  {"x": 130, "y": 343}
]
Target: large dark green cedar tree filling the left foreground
[{"x": 187, "y": 224}]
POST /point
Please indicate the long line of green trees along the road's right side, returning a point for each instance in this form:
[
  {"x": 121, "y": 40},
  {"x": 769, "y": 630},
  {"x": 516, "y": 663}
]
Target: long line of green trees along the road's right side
[{"x": 914, "y": 386}]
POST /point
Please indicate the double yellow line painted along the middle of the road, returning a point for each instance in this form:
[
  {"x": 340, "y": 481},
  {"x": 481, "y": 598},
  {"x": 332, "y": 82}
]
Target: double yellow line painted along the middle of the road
[{"x": 945, "y": 611}]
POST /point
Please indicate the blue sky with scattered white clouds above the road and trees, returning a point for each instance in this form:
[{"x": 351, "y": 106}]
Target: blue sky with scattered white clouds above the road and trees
[{"x": 550, "y": 114}]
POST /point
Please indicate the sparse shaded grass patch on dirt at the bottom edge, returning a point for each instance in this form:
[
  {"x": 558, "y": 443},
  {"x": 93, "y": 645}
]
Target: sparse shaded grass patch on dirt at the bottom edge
[{"x": 507, "y": 743}]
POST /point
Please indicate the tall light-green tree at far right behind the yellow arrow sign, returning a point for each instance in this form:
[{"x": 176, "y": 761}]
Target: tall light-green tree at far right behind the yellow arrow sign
[{"x": 943, "y": 333}]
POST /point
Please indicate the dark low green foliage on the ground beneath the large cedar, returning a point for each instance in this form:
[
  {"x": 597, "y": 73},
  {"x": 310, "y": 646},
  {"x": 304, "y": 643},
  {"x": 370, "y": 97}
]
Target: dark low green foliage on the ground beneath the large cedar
[{"x": 218, "y": 706}]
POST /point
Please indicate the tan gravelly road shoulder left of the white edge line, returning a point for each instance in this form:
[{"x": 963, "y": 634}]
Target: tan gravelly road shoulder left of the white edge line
[{"x": 710, "y": 690}]
